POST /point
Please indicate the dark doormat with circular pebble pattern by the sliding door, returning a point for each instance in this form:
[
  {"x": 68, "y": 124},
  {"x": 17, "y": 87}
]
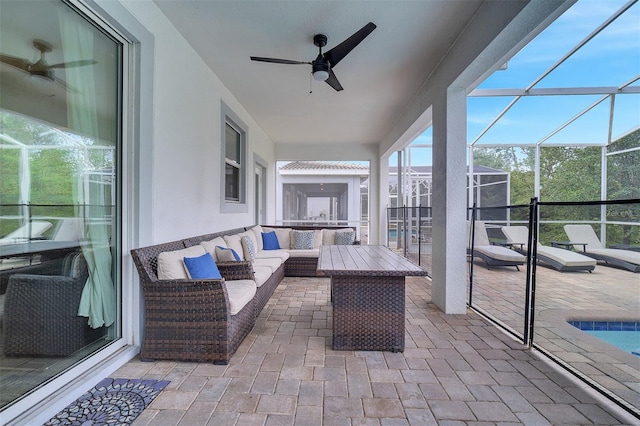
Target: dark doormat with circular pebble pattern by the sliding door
[{"x": 110, "y": 402}]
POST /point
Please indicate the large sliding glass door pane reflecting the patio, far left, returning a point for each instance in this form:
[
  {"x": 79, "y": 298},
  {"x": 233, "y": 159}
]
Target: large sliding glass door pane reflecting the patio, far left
[{"x": 60, "y": 169}]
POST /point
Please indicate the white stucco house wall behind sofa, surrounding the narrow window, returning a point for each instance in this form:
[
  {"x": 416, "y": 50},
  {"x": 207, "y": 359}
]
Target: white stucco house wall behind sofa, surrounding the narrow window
[{"x": 186, "y": 164}]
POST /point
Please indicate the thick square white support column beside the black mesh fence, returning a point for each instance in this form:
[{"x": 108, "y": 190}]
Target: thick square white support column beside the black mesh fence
[{"x": 449, "y": 202}]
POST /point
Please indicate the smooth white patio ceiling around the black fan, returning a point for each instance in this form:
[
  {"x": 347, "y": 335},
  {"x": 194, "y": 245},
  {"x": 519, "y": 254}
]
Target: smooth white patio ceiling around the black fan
[{"x": 379, "y": 76}]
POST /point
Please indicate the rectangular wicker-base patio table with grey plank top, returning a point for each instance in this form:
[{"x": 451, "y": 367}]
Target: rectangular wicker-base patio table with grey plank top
[{"x": 367, "y": 289}]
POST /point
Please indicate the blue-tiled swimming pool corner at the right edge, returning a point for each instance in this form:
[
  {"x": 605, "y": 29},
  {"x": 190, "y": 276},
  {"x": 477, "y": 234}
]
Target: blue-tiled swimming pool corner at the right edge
[{"x": 621, "y": 334}]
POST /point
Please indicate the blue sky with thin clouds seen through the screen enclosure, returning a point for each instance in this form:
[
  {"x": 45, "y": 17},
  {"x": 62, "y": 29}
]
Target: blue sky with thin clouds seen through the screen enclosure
[{"x": 611, "y": 59}]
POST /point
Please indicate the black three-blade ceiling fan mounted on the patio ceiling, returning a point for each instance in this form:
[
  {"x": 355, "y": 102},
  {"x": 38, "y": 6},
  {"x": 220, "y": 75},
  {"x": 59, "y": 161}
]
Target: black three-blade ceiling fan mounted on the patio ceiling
[{"x": 322, "y": 66}]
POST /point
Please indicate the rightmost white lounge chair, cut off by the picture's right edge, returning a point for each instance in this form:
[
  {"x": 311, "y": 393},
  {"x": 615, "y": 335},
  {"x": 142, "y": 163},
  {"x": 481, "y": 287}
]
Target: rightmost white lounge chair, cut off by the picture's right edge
[{"x": 585, "y": 239}]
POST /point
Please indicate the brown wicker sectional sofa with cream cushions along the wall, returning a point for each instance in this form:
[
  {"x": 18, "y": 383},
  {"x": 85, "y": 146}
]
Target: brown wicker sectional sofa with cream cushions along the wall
[{"x": 207, "y": 319}]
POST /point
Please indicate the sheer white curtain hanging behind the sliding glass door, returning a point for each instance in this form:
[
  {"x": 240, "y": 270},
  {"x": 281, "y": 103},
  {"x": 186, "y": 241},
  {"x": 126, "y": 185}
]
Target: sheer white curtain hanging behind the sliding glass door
[{"x": 98, "y": 301}]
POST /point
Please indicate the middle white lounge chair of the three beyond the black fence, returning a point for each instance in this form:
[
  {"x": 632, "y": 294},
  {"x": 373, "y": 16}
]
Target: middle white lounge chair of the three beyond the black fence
[{"x": 554, "y": 257}]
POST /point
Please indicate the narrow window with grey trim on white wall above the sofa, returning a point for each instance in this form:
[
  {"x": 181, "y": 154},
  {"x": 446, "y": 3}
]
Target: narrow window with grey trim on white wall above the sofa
[{"x": 234, "y": 170}]
